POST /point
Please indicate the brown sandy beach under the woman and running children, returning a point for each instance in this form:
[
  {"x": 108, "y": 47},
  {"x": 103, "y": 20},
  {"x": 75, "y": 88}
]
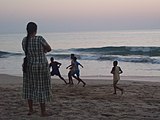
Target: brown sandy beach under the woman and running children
[{"x": 140, "y": 101}]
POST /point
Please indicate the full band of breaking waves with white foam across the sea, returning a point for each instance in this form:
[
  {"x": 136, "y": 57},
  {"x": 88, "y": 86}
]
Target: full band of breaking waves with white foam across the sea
[{"x": 122, "y": 53}]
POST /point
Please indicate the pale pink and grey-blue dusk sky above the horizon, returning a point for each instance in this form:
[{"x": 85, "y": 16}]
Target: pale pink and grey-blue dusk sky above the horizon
[{"x": 79, "y": 15}]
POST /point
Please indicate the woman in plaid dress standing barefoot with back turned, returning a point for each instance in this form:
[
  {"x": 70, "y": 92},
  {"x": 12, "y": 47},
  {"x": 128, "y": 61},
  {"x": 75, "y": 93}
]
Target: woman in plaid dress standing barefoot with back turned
[{"x": 36, "y": 80}]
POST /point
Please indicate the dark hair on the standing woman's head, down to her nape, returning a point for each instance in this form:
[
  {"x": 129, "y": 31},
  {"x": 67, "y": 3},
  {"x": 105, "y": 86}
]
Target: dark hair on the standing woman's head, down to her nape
[{"x": 31, "y": 28}]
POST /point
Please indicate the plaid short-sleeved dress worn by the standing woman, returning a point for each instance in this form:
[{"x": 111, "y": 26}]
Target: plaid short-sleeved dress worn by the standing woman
[{"x": 37, "y": 80}]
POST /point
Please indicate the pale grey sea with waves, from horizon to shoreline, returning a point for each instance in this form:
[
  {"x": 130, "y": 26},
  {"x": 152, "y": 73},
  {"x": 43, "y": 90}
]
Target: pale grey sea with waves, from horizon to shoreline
[{"x": 138, "y": 52}]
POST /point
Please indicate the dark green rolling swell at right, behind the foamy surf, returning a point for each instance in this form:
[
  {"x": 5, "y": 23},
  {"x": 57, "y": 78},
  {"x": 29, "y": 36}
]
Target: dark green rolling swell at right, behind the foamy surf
[{"x": 122, "y": 50}]
